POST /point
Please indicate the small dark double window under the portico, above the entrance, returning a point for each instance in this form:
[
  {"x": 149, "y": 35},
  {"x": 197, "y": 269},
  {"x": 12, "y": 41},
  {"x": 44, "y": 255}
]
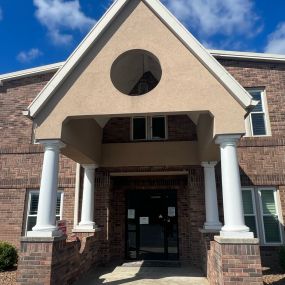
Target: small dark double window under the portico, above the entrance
[{"x": 149, "y": 128}]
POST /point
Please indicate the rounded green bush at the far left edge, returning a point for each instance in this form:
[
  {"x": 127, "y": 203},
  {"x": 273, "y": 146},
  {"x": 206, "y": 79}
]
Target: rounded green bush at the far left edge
[{"x": 8, "y": 256}]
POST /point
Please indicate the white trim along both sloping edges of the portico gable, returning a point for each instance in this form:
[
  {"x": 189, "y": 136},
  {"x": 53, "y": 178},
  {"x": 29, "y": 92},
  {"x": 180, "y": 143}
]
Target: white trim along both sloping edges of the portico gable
[{"x": 223, "y": 76}]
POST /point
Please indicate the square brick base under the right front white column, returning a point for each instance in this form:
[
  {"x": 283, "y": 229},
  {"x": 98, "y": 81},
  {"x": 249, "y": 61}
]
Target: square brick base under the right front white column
[{"x": 234, "y": 261}]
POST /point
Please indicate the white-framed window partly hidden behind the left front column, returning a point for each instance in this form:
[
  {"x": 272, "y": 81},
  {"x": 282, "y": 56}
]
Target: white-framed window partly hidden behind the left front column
[{"x": 32, "y": 208}]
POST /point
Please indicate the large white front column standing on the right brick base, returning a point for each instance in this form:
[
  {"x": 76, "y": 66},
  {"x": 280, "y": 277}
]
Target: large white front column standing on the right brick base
[{"x": 232, "y": 196}]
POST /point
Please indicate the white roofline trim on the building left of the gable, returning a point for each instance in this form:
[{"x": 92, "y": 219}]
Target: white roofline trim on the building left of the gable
[{"x": 31, "y": 71}]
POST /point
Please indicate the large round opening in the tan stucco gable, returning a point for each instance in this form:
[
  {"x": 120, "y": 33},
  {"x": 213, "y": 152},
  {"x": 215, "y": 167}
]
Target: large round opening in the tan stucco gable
[{"x": 136, "y": 72}]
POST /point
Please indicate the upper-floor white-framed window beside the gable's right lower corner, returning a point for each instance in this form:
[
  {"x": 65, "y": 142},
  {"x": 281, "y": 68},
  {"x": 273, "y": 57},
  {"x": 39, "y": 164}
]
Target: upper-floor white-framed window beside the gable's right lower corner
[{"x": 258, "y": 120}]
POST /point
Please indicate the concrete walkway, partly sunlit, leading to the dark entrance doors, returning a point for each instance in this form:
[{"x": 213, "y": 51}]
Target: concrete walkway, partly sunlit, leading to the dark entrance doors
[{"x": 184, "y": 275}]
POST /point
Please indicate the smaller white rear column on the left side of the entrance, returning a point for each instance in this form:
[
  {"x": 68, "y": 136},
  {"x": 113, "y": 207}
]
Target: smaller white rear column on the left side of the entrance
[{"x": 87, "y": 209}]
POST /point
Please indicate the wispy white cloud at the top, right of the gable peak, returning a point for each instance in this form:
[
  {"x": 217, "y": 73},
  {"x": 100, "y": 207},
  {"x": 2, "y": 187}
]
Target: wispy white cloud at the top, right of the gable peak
[{"x": 211, "y": 17}]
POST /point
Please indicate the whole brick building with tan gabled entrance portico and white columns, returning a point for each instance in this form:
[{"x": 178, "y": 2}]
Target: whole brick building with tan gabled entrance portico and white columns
[{"x": 148, "y": 150}]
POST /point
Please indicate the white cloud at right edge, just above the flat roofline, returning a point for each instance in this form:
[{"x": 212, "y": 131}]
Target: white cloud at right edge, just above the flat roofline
[{"x": 276, "y": 40}]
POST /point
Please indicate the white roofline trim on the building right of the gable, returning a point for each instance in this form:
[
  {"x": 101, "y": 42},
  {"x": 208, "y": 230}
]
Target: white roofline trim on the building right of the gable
[{"x": 252, "y": 56}]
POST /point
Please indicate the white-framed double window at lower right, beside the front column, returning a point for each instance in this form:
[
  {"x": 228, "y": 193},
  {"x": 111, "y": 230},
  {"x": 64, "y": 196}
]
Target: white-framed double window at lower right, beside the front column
[{"x": 261, "y": 214}]
